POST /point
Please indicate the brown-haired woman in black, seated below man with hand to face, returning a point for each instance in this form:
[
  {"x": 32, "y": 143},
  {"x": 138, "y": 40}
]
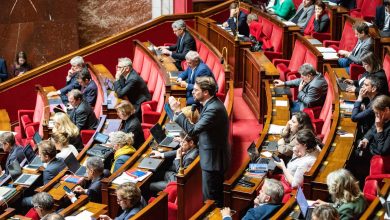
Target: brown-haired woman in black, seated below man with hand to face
[{"x": 130, "y": 122}]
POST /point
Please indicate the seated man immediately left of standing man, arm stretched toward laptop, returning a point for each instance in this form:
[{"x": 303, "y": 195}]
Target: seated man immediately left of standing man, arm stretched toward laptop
[{"x": 187, "y": 151}]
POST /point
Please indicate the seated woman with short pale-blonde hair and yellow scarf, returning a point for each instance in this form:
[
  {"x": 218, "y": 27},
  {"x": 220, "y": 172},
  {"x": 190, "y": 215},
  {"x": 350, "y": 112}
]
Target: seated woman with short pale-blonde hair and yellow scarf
[{"x": 123, "y": 146}]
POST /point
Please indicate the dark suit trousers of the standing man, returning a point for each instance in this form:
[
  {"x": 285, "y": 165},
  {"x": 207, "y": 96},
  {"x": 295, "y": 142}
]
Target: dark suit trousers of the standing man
[{"x": 212, "y": 186}]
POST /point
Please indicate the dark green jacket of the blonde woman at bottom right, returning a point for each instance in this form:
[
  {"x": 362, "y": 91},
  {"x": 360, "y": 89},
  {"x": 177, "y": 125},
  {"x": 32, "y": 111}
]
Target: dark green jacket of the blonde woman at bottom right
[{"x": 352, "y": 210}]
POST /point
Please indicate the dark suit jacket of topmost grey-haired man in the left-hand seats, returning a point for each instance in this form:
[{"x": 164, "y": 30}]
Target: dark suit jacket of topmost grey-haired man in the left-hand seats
[{"x": 180, "y": 50}]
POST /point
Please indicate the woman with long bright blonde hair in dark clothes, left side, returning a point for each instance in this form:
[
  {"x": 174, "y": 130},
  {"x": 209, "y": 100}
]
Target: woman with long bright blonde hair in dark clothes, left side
[{"x": 63, "y": 124}]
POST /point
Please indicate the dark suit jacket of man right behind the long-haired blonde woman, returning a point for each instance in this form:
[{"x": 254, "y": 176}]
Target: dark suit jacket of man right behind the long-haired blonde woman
[{"x": 83, "y": 116}]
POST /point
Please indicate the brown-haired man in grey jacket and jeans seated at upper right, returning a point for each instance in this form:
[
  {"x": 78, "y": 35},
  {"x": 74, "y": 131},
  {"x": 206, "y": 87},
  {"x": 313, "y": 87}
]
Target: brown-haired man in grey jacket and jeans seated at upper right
[{"x": 363, "y": 46}]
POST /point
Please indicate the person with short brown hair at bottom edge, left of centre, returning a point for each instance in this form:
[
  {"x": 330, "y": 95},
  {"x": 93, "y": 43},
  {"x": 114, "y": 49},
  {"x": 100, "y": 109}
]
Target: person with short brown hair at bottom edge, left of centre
[{"x": 129, "y": 199}]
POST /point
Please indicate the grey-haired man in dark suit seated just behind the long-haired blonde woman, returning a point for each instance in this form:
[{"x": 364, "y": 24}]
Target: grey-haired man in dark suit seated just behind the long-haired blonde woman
[{"x": 81, "y": 113}]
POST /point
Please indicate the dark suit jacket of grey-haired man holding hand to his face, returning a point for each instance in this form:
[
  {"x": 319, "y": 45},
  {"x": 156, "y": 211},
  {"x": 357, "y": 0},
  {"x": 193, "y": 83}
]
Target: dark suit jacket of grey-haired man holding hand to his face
[{"x": 134, "y": 88}]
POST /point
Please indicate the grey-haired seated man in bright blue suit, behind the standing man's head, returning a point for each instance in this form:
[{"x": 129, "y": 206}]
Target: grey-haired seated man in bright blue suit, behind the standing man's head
[{"x": 195, "y": 68}]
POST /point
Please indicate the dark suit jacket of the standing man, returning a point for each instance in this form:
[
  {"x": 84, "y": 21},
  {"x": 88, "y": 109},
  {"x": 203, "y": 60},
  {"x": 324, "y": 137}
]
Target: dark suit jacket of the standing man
[{"x": 213, "y": 129}]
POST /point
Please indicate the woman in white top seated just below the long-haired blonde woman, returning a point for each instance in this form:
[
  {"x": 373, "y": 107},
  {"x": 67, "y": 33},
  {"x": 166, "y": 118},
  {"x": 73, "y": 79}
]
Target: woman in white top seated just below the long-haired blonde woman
[{"x": 61, "y": 142}]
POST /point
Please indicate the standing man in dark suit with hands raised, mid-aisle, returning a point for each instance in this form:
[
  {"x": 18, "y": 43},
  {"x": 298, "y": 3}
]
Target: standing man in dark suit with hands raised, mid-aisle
[{"x": 213, "y": 130}]
